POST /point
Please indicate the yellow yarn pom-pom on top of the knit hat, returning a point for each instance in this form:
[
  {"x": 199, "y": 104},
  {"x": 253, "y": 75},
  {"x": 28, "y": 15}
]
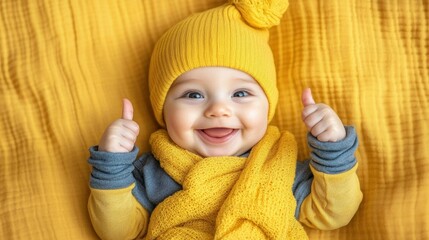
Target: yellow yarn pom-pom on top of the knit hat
[{"x": 261, "y": 13}]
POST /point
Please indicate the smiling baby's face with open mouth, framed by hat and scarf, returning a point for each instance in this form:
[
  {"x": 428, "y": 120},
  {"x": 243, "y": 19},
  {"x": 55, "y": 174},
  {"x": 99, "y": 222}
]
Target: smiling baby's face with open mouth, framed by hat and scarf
[{"x": 216, "y": 111}]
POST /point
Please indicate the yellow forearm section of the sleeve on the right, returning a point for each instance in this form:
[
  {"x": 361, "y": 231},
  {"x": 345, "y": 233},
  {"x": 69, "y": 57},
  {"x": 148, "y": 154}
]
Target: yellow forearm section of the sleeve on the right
[{"x": 333, "y": 201}]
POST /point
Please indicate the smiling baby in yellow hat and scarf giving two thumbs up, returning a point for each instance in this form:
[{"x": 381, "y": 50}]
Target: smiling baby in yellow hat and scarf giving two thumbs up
[{"x": 217, "y": 169}]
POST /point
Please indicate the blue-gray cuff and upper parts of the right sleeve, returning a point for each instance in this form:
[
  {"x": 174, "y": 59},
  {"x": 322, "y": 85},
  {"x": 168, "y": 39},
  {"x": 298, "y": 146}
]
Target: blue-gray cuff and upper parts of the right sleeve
[{"x": 327, "y": 157}]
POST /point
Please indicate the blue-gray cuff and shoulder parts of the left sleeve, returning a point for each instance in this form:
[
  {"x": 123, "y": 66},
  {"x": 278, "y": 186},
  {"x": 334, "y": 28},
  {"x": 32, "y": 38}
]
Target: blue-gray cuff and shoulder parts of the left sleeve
[{"x": 120, "y": 170}]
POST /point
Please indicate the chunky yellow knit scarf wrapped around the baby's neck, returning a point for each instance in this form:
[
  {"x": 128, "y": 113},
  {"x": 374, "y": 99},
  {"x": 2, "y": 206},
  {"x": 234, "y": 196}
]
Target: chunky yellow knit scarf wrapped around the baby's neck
[{"x": 228, "y": 197}]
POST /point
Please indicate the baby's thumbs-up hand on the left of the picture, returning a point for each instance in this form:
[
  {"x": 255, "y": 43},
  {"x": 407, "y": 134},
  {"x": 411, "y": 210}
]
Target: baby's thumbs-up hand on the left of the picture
[{"x": 121, "y": 135}]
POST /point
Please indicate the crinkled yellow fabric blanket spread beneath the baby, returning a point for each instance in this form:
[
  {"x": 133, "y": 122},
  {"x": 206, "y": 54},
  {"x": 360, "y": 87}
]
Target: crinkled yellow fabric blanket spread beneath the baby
[{"x": 65, "y": 65}]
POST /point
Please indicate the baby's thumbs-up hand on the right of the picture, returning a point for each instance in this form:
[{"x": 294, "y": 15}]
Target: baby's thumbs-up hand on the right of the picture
[{"x": 321, "y": 120}]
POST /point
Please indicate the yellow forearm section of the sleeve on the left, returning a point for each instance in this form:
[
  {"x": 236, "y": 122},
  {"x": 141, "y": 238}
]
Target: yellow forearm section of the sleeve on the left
[{"x": 116, "y": 214}]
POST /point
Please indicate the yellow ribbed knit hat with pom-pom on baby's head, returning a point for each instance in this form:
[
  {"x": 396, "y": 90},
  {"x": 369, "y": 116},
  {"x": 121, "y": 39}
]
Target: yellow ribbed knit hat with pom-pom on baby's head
[{"x": 234, "y": 35}]
